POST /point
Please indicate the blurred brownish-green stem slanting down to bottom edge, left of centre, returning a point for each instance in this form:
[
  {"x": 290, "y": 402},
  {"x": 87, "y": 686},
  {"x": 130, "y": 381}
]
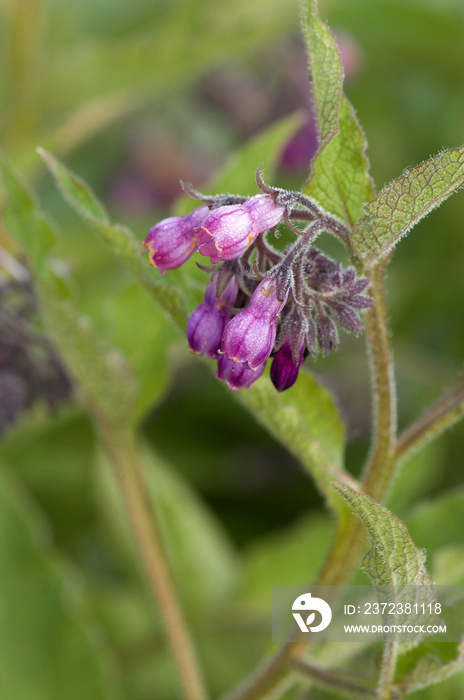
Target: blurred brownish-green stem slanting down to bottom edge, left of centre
[{"x": 124, "y": 461}]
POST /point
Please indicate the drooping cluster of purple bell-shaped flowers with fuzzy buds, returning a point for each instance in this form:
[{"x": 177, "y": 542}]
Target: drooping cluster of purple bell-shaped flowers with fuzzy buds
[{"x": 261, "y": 303}]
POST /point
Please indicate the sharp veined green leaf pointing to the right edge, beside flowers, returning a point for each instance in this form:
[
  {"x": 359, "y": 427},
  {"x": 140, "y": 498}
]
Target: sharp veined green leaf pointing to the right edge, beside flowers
[{"x": 404, "y": 202}]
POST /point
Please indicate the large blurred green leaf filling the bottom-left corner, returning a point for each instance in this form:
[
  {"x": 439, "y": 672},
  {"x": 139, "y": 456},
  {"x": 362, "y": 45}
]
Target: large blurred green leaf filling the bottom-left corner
[{"x": 46, "y": 649}]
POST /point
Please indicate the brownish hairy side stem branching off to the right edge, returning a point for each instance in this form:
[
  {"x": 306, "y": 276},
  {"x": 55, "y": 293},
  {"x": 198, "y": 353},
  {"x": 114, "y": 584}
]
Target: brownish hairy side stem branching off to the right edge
[{"x": 444, "y": 413}]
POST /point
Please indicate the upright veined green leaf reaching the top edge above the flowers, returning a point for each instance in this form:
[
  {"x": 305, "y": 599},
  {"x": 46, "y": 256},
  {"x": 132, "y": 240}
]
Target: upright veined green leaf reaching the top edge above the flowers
[{"x": 339, "y": 175}]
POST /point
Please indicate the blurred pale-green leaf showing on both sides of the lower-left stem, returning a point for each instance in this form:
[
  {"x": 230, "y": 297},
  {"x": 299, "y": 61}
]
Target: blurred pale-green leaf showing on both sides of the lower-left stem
[{"x": 203, "y": 560}]
